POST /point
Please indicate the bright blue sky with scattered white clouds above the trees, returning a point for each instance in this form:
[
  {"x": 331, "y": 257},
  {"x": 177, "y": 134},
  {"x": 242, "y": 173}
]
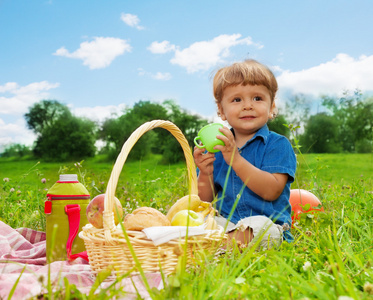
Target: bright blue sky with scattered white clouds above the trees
[{"x": 99, "y": 57}]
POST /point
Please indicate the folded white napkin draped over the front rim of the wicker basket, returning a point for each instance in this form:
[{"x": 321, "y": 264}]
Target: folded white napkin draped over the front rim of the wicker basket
[{"x": 162, "y": 234}]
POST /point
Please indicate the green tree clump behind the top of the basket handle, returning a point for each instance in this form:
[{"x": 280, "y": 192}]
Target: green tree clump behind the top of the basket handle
[{"x": 116, "y": 131}]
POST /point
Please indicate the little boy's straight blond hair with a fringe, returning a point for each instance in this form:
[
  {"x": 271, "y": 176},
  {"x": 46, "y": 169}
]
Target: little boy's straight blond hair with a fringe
[{"x": 246, "y": 72}]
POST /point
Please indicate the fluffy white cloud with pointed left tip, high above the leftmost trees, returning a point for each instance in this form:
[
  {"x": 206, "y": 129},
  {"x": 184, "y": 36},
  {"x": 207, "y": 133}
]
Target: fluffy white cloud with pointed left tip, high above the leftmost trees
[{"x": 98, "y": 53}]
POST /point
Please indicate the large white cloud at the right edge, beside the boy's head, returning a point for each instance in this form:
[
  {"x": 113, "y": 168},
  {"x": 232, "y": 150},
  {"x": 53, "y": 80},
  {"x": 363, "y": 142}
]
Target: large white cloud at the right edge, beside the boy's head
[{"x": 342, "y": 73}]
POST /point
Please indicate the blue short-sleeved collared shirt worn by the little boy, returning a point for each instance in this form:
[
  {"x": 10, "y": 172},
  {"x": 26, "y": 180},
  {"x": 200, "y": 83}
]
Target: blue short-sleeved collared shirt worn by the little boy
[{"x": 269, "y": 152}]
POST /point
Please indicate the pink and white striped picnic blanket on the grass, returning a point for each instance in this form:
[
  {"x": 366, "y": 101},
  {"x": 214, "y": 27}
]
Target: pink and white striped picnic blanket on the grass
[{"x": 24, "y": 271}]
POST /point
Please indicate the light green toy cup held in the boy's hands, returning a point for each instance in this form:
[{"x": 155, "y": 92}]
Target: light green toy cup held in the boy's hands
[{"x": 206, "y": 138}]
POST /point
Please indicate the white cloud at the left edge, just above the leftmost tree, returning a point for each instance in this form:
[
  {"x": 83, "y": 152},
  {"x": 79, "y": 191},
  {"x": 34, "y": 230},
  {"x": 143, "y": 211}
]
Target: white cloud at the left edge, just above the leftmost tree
[{"x": 17, "y": 99}]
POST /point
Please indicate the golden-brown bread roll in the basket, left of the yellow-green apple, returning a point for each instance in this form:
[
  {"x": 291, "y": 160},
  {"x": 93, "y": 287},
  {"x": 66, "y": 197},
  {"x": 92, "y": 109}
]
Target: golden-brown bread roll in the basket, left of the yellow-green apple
[{"x": 144, "y": 217}]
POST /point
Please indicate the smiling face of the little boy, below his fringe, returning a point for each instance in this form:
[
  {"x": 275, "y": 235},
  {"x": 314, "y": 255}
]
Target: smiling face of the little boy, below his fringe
[{"x": 246, "y": 108}]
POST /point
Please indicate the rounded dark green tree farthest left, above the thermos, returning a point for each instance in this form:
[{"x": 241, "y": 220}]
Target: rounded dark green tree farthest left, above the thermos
[{"x": 61, "y": 136}]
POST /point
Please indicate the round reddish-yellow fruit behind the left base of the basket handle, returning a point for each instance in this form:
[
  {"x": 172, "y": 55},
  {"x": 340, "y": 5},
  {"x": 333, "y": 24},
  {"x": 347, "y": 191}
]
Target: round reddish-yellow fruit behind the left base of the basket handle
[{"x": 95, "y": 210}]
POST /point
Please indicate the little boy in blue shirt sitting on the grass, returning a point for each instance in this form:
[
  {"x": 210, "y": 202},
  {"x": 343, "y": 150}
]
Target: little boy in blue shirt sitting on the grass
[{"x": 252, "y": 173}]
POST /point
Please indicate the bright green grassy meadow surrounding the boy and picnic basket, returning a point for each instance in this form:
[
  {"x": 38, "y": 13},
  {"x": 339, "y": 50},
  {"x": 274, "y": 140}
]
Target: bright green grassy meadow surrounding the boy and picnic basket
[{"x": 332, "y": 255}]
